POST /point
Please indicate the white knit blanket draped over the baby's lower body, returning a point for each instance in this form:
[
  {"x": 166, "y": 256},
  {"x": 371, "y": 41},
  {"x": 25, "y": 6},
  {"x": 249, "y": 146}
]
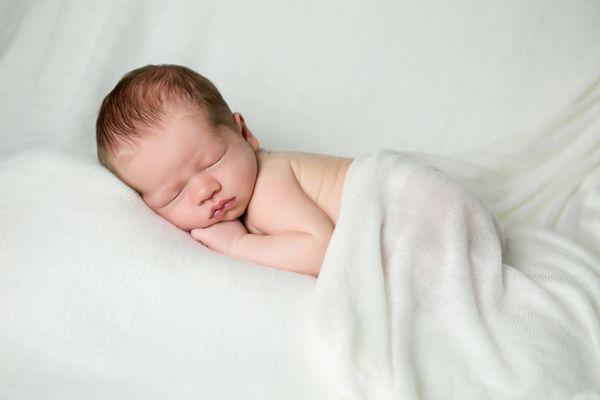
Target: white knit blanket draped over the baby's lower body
[{"x": 418, "y": 299}]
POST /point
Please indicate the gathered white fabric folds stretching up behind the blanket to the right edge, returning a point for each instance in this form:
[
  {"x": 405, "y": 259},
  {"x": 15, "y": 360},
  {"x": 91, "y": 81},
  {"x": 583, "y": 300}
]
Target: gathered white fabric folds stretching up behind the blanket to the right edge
[{"x": 547, "y": 175}]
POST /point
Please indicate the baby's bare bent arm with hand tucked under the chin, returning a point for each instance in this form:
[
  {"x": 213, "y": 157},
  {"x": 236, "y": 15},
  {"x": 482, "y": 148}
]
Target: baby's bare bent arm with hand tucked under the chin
[{"x": 297, "y": 231}]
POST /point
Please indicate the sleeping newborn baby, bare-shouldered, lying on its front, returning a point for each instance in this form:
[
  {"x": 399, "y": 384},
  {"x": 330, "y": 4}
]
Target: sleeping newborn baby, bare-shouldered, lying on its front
[{"x": 166, "y": 132}]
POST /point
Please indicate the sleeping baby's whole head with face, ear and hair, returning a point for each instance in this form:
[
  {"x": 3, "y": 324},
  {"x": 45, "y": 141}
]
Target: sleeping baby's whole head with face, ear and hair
[{"x": 166, "y": 132}]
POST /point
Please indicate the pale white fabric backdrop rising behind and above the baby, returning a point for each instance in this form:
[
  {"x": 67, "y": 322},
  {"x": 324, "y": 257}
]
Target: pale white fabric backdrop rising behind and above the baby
[{"x": 333, "y": 76}]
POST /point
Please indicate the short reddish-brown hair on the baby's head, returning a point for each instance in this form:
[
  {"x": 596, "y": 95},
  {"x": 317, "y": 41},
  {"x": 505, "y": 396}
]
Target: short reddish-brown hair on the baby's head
[{"x": 138, "y": 100}]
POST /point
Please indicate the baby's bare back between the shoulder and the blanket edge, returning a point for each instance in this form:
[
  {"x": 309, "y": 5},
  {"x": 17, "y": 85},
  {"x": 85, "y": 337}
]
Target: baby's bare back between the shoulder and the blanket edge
[{"x": 320, "y": 176}]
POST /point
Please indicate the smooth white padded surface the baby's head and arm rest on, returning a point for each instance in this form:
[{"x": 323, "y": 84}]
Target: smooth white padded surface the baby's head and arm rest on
[{"x": 102, "y": 298}]
